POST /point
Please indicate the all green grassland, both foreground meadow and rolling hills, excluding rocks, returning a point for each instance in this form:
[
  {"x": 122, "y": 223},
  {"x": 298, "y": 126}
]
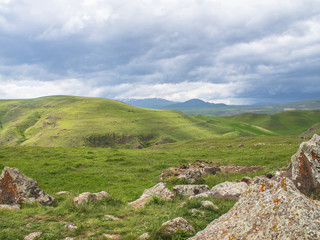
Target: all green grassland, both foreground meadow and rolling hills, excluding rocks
[{"x": 89, "y": 145}]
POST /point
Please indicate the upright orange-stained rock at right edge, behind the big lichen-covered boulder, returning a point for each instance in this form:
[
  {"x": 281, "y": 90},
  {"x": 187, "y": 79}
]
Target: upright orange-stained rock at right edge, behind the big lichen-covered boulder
[{"x": 306, "y": 165}]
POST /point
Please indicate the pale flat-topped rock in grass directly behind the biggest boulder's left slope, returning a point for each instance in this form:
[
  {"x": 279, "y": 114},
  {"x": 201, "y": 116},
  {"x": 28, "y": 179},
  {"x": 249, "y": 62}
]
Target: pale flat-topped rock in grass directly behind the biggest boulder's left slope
[{"x": 229, "y": 190}]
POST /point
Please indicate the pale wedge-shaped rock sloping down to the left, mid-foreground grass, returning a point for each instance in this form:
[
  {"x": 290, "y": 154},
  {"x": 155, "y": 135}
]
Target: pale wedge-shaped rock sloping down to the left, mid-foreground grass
[{"x": 158, "y": 190}]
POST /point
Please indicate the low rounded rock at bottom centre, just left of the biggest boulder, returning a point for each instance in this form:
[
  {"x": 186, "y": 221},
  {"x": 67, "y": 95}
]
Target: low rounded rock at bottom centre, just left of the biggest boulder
[{"x": 172, "y": 226}]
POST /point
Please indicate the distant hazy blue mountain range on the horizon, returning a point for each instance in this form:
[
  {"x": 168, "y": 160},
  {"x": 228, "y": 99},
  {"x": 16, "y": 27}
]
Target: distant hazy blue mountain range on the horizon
[{"x": 199, "y": 107}]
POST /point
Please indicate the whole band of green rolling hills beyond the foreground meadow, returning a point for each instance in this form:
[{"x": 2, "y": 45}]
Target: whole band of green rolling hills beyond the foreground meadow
[{"x": 67, "y": 121}]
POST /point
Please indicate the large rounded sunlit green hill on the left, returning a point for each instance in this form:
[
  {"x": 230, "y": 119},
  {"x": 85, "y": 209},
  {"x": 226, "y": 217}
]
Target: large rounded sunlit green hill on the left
[{"x": 77, "y": 121}]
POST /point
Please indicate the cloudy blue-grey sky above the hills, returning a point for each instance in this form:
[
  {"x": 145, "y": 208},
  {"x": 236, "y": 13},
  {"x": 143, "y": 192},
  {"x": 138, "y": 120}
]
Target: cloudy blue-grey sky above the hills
[{"x": 230, "y": 51}]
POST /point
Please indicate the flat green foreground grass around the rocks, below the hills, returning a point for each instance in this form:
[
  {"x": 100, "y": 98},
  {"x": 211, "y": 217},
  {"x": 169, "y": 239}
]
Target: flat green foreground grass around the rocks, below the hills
[{"x": 124, "y": 174}]
